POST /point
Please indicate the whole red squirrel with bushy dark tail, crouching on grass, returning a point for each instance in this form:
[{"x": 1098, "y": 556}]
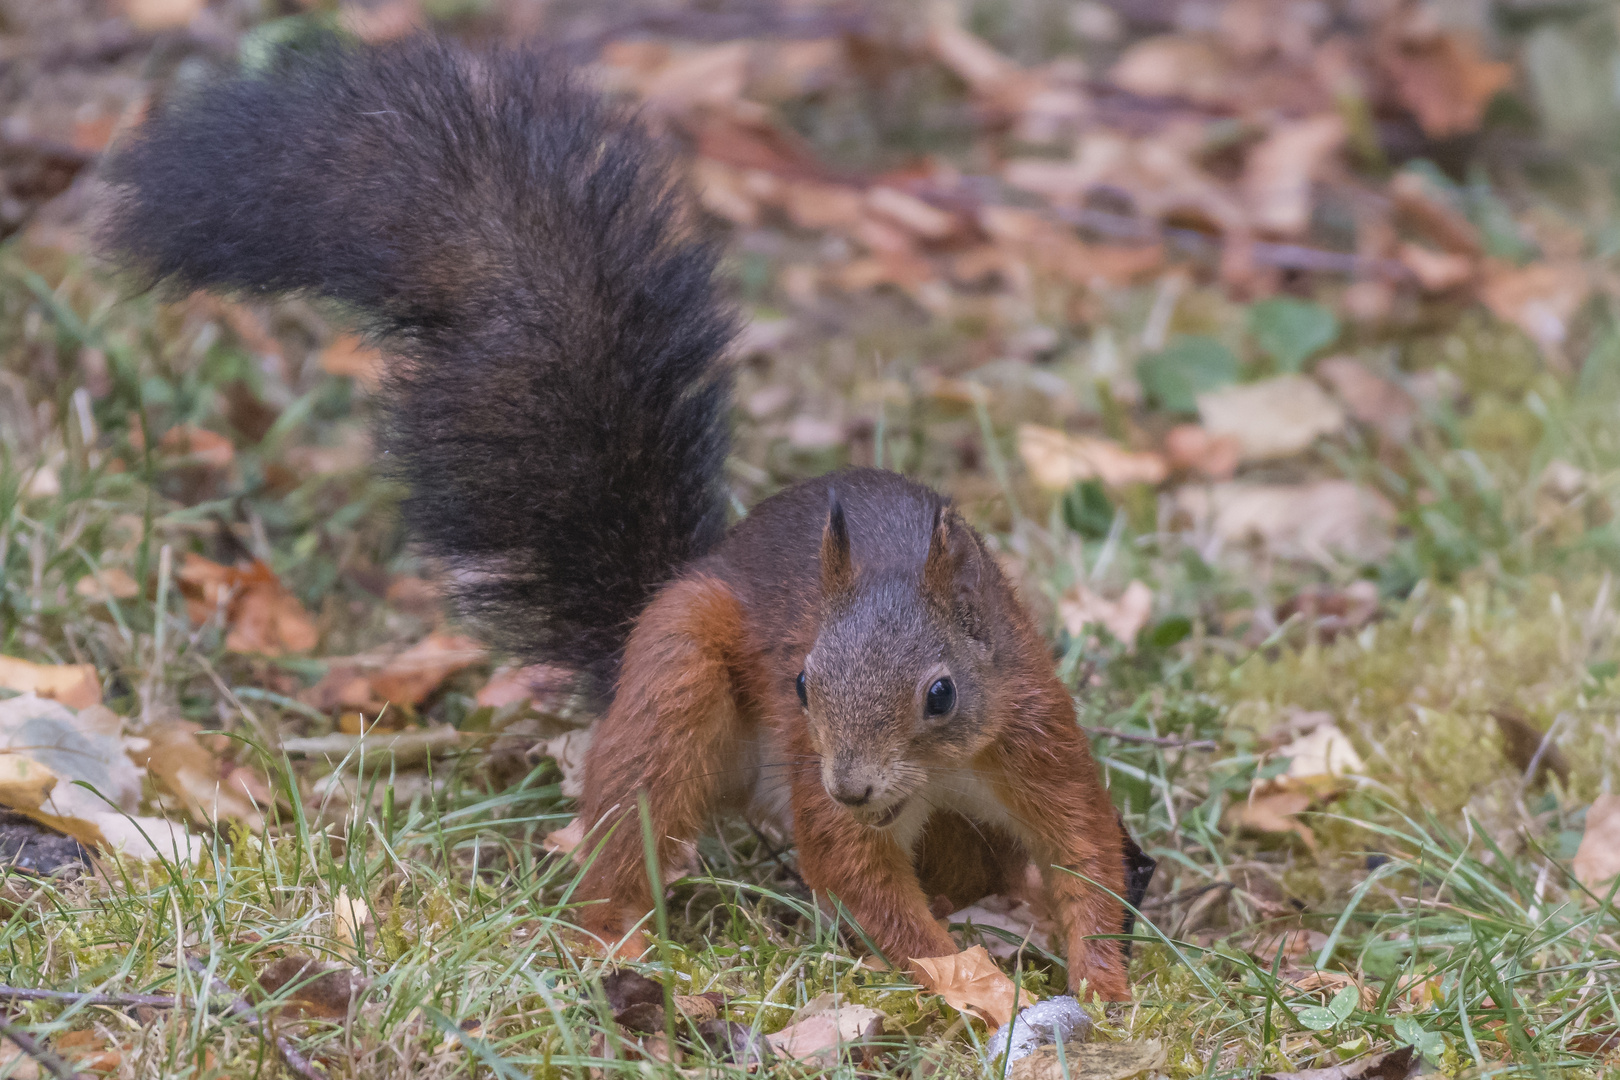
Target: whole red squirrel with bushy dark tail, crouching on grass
[{"x": 848, "y": 657}]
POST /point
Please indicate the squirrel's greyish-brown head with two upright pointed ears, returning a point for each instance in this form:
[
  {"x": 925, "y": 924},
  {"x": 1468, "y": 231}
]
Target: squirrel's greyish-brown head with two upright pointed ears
[{"x": 897, "y": 682}]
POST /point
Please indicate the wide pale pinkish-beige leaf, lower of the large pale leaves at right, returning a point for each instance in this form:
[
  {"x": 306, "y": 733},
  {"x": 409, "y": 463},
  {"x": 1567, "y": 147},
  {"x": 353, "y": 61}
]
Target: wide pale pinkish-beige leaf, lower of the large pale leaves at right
[{"x": 1318, "y": 522}]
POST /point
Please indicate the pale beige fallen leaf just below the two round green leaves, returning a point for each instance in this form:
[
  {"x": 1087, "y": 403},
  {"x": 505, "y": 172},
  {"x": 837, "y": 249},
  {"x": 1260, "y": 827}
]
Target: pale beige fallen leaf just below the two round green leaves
[{"x": 1274, "y": 419}]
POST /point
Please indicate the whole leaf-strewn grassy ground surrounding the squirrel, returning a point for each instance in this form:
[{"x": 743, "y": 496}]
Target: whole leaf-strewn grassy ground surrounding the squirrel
[{"x": 1274, "y": 342}]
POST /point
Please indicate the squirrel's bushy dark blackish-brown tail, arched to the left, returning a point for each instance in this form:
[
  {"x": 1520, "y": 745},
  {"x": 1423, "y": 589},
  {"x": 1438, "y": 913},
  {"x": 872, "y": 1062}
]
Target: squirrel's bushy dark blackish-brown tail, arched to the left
[{"x": 560, "y": 410}]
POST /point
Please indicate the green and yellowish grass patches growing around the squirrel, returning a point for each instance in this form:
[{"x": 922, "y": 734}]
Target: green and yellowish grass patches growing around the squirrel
[{"x": 1439, "y": 891}]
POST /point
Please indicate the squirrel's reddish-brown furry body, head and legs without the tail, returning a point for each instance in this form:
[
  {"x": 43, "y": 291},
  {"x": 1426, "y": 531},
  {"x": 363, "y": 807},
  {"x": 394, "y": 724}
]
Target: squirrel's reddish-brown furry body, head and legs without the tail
[{"x": 709, "y": 684}]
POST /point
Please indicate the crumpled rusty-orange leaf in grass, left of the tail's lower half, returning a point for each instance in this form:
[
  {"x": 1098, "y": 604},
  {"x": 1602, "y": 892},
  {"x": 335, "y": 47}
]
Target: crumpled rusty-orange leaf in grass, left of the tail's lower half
[{"x": 262, "y": 616}]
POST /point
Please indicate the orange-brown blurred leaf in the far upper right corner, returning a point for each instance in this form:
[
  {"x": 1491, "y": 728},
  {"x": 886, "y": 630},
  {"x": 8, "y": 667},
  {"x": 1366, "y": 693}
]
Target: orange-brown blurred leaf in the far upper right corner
[{"x": 1446, "y": 82}]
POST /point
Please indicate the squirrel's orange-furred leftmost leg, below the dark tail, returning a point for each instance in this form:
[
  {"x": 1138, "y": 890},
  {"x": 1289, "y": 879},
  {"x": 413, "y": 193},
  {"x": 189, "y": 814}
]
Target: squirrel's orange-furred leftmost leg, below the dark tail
[{"x": 668, "y": 738}]
